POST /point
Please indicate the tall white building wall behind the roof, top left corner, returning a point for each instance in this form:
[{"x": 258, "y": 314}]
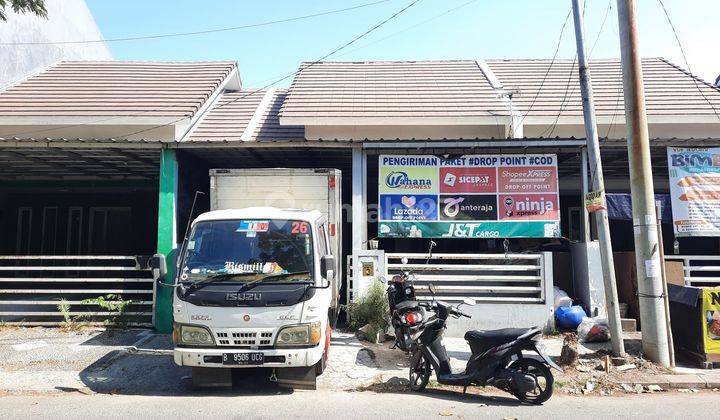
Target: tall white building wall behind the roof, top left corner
[{"x": 67, "y": 20}]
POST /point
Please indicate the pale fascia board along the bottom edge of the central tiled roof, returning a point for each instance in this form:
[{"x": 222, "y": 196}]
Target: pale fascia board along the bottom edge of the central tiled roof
[{"x": 394, "y": 121}]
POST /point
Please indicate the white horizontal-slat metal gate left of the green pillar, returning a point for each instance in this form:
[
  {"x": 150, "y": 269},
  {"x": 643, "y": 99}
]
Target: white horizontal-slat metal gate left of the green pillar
[{"x": 33, "y": 287}]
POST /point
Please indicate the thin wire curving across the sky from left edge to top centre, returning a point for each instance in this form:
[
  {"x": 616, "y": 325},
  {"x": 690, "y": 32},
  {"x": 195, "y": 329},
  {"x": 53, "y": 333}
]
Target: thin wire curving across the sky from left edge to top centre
[{"x": 203, "y": 32}]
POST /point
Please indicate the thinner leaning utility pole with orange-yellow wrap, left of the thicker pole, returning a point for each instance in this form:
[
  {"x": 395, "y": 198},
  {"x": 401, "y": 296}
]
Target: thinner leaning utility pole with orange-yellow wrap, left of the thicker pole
[{"x": 598, "y": 185}]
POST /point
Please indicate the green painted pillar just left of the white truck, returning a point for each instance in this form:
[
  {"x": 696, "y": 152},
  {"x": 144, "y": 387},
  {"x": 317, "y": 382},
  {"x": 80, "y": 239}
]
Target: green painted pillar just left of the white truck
[{"x": 167, "y": 241}]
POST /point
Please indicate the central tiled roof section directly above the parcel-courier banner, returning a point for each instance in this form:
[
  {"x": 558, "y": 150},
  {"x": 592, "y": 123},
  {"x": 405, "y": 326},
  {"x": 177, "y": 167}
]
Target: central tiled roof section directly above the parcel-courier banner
[{"x": 391, "y": 90}]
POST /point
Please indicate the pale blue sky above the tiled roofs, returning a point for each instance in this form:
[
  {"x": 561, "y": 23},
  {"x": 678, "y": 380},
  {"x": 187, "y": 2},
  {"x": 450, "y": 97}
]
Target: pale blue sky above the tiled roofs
[{"x": 475, "y": 29}]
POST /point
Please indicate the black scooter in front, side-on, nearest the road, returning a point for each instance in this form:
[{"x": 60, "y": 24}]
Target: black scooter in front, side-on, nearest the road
[{"x": 496, "y": 359}]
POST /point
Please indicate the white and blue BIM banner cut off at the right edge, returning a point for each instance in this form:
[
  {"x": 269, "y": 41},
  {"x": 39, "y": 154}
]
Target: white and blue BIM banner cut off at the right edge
[{"x": 695, "y": 190}]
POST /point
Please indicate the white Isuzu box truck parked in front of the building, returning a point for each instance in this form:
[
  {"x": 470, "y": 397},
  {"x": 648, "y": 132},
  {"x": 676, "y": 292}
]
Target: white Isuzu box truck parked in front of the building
[{"x": 258, "y": 277}]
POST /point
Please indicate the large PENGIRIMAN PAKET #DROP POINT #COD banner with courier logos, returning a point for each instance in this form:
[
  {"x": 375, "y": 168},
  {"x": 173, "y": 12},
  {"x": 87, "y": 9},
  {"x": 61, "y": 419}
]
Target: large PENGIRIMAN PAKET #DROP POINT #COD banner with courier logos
[{"x": 472, "y": 196}]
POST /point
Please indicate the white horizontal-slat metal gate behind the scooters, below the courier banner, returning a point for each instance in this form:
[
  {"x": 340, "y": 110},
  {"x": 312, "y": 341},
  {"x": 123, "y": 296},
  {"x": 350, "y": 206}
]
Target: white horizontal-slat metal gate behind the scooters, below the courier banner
[{"x": 502, "y": 278}]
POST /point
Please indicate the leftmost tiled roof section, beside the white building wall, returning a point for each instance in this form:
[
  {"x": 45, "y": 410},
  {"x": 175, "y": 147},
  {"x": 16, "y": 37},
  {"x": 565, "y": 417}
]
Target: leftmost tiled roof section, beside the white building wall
[{"x": 115, "y": 88}]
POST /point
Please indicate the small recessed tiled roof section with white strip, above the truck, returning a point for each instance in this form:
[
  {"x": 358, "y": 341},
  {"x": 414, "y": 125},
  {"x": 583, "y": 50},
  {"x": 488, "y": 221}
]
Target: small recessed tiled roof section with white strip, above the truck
[{"x": 229, "y": 117}]
